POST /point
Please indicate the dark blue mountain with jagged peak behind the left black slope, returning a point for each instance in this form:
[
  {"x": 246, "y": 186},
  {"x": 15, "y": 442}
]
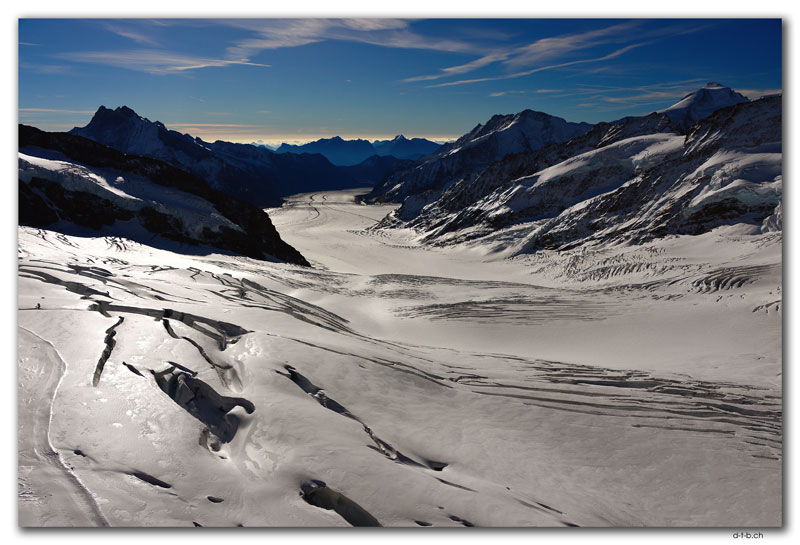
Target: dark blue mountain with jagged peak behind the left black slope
[{"x": 242, "y": 170}]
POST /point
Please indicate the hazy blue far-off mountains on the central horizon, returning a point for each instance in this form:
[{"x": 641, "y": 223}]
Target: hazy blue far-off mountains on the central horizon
[{"x": 352, "y": 152}]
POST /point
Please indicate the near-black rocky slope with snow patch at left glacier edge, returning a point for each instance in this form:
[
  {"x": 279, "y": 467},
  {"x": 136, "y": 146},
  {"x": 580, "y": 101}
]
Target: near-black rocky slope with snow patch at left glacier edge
[{"x": 67, "y": 181}]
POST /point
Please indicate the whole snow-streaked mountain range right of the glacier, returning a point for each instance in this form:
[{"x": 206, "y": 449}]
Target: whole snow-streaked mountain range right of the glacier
[{"x": 712, "y": 159}]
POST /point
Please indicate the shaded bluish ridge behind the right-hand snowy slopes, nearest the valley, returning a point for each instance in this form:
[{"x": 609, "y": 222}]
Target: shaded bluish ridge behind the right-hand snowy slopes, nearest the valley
[{"x": 500, "y": 136}]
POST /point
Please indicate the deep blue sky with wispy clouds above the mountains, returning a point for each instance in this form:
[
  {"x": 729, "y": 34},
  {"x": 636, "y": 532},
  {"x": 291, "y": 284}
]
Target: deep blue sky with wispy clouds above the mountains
[{"x": 295, "y": 80}]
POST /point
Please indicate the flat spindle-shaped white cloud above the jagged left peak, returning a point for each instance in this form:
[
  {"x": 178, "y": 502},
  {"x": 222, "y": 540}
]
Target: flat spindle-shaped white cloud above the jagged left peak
[{"x": 151, "y": 61}]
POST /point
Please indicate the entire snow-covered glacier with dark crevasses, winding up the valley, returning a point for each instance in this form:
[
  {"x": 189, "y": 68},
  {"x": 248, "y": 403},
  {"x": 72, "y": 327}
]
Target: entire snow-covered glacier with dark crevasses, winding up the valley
[{"x": 399, "y": 384}]
